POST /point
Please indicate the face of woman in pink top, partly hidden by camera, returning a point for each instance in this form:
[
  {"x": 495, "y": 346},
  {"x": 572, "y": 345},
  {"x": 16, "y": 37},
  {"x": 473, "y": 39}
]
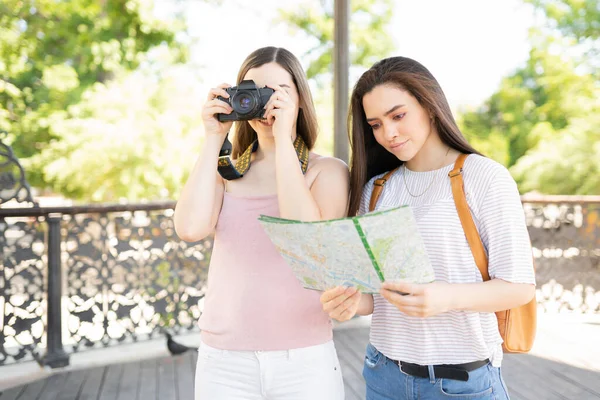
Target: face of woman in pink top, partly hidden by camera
[{"x": 272, "y": 74}]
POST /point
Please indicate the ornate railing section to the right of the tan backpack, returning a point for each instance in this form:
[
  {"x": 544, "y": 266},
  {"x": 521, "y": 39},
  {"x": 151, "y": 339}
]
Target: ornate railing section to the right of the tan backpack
[{"x": 566, "y": 243}]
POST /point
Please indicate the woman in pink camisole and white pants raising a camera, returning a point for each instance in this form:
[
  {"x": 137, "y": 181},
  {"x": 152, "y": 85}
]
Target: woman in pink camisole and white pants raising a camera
[{"x": 263, "y": 335}]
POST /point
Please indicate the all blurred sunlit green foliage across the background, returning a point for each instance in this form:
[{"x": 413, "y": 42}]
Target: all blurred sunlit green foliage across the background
[{"x": 101, "y": 101}]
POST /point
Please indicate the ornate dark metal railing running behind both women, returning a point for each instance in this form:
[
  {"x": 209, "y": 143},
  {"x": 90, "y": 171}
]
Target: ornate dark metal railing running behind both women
[{"x": 80, "y": 277}]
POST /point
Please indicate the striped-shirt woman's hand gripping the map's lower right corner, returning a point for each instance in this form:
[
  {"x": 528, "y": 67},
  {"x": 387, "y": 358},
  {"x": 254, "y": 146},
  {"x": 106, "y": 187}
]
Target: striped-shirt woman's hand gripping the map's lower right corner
[{"x": 419, "y": 300}]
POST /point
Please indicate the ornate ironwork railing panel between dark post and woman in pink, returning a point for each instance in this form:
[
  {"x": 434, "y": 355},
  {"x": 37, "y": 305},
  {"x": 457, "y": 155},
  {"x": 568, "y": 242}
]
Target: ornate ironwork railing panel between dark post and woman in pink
[{"x": 129, "y": 277}]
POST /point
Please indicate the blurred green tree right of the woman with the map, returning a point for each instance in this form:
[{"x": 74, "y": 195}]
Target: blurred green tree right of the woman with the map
[{"x": 542, "y": 122}]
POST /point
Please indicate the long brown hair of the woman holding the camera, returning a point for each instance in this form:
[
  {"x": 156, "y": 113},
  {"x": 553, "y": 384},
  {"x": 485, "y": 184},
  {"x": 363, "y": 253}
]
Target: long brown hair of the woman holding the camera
[{"x": 306, "y": 125}]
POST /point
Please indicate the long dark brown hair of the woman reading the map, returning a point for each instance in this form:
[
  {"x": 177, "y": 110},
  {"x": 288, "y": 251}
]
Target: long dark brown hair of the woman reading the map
[{"x": 369, "y": 158}]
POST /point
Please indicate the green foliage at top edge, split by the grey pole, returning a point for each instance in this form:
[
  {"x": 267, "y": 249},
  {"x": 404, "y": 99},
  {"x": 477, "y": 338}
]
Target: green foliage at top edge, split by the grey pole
[{"x": 369, "y": 41}]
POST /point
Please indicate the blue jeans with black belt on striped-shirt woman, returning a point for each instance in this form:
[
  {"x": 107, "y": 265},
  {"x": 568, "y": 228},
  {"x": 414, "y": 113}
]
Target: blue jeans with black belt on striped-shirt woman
[{"x": 385, "y": 381}]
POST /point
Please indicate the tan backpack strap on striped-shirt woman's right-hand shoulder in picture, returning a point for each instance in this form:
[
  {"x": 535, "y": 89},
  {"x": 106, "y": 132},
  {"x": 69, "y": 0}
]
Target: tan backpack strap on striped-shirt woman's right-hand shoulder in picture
[{"x": 466, "y": 219}]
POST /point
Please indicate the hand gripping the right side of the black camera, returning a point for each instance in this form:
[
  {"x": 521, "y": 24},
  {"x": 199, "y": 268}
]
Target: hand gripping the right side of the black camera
[{"x": 281, "y": 111}]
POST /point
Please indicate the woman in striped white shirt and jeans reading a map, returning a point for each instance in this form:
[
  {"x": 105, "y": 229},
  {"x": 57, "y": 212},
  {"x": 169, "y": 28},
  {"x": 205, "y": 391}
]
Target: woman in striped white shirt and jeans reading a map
[{"x": 436, "y": 340}]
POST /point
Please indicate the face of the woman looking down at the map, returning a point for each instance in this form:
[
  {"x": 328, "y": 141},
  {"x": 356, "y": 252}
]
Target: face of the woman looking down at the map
[{"x": 400, "y": 124}]
